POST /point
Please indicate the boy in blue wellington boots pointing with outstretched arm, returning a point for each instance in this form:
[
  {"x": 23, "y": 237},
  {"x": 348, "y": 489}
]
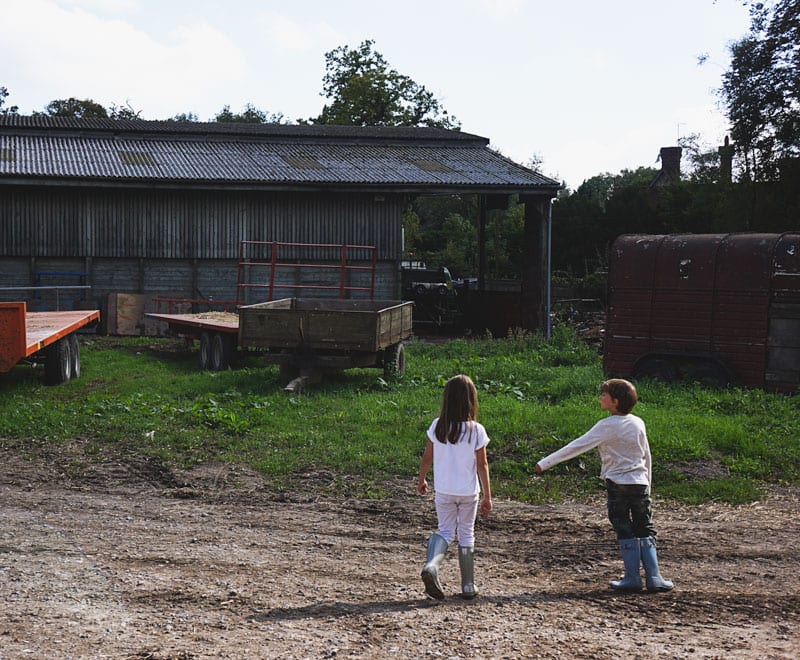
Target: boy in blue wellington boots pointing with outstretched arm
[{"x": 621, "y": 439}]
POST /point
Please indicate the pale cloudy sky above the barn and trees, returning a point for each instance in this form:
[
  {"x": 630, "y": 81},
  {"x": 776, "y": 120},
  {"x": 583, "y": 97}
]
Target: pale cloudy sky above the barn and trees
[{"x": 584, "y": 87}]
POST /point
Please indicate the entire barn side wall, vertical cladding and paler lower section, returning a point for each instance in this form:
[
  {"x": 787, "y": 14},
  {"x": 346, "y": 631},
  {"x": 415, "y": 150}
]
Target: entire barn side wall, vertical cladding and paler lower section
[{"x": 186, "y": 244}]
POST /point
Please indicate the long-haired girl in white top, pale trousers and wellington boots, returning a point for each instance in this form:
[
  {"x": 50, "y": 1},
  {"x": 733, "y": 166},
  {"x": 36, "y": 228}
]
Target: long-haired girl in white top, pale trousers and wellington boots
[{"x": 457, "y": 450}]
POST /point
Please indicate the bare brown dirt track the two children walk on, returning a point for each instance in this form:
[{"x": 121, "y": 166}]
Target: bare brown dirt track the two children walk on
[{"x": 117, "y": 559}]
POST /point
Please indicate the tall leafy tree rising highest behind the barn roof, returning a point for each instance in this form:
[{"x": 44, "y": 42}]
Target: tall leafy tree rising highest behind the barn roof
[{"x": 363, "y": 91}]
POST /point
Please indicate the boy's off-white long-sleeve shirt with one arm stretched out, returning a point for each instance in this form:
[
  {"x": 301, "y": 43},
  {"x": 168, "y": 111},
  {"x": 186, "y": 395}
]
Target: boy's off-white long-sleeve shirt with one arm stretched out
[{"x": 624, "y": 450}]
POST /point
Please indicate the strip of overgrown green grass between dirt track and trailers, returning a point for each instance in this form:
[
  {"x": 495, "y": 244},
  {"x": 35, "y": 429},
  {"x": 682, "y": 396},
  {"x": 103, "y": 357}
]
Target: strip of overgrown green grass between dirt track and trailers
[{"x": 146, "y": 396}]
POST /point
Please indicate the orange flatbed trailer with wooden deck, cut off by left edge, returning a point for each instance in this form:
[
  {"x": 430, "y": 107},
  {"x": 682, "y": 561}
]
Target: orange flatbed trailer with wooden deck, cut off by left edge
[{"x": 46, "y": 337}]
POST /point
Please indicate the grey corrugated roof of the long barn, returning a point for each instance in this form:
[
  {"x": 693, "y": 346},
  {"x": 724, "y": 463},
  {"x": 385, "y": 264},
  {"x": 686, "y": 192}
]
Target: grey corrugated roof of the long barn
[{"x": 46, "y": 148}]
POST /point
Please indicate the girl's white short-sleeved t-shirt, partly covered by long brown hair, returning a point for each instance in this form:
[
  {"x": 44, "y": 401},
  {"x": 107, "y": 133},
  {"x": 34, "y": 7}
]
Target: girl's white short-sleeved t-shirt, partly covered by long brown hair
[{"x": 455, "y": 468}]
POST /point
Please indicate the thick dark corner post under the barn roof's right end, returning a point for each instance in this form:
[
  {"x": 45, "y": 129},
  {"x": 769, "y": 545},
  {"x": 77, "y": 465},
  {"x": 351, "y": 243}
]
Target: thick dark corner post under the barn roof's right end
[{"x": 535, "y": 264}]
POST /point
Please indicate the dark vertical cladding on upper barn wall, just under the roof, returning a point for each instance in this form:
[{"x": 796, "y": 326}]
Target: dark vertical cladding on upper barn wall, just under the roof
[{"x": 153, "y": 224}]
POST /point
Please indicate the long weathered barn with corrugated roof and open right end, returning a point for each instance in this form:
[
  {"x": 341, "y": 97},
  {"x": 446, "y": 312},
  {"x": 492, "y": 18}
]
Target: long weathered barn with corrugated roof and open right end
[{"x": 173, "y": 210}]
